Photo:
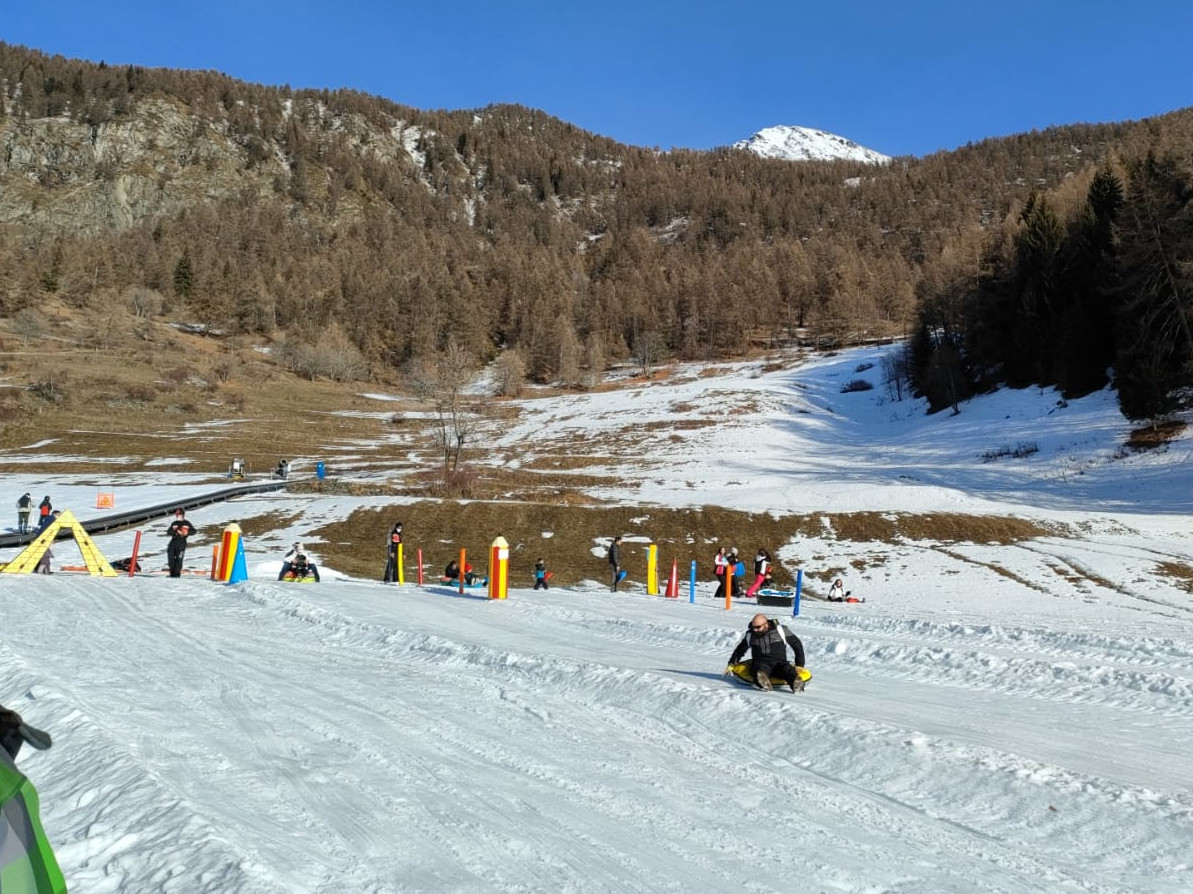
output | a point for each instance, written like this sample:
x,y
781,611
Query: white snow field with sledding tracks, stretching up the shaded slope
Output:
x,y
992,719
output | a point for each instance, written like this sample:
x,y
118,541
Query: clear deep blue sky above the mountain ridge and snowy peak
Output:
x,y
901,78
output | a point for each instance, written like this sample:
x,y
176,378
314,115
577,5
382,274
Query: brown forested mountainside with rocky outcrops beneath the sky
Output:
x,y
385,233
